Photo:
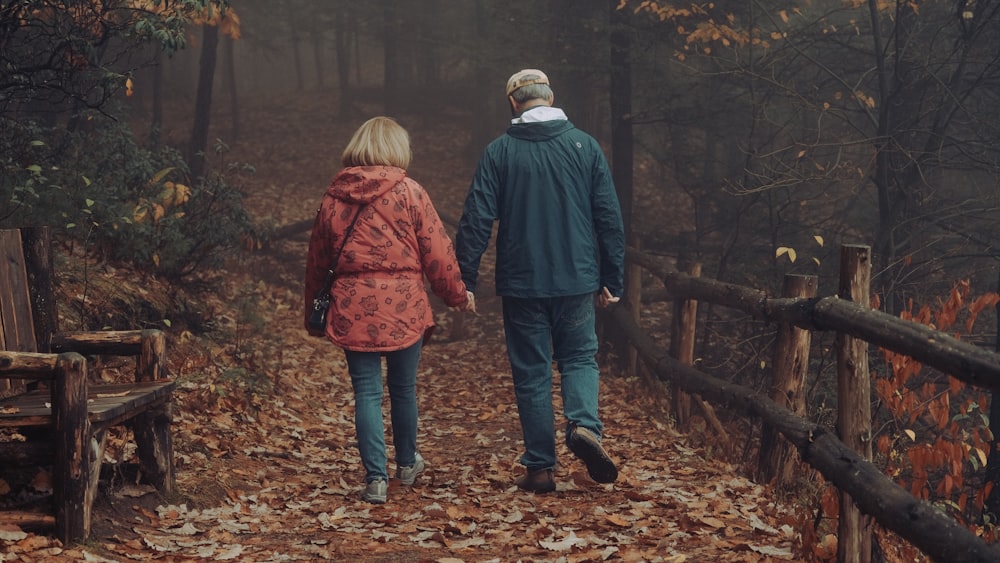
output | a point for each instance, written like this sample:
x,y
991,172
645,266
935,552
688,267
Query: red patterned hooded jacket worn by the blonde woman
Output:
x,y
379,301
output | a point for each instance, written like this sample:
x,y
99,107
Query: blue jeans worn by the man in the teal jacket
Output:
x,y
538,331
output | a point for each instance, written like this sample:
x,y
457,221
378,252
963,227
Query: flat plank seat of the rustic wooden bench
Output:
x,y
105,403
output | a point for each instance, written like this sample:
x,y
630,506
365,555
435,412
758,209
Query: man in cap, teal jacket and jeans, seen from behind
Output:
x,y
560,241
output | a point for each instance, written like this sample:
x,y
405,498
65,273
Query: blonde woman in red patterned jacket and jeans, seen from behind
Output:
x,y
388,237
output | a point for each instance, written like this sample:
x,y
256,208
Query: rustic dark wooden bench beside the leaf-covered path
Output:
x,y
46,398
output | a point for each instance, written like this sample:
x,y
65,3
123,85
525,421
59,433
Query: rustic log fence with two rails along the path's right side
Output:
x,y
845,462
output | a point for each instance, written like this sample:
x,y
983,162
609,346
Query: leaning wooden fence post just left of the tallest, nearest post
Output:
x,y
791,363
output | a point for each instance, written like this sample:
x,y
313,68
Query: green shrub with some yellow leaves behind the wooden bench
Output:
x,y
100,188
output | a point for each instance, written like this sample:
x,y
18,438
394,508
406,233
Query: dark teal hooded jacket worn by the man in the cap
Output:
x,y
560,227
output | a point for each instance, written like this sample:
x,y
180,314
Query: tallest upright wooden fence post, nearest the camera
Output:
x,y
854,543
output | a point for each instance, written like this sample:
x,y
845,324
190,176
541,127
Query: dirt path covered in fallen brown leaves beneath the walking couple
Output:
x,y
292,477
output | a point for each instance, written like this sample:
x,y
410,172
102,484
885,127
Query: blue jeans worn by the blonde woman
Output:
x,y
401,377
